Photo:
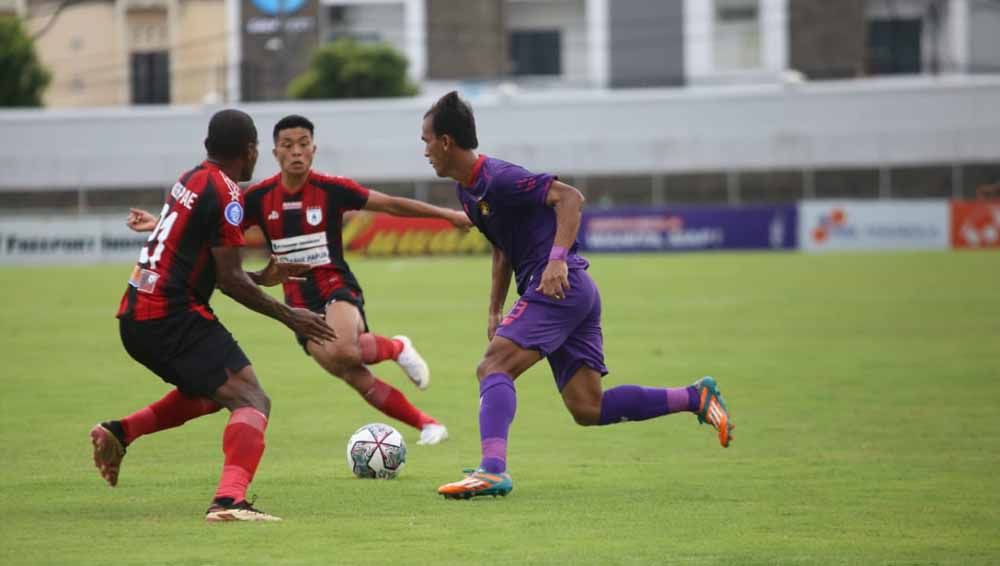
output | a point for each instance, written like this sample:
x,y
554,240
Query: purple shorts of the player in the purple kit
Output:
x,y
567,332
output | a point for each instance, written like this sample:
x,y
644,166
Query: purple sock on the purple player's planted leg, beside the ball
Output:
x,y
497,405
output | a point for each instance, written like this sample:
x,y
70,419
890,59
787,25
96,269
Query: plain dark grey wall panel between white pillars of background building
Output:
x,y
647,42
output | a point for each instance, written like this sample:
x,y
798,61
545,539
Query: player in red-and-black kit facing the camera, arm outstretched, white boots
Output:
x,y
300,212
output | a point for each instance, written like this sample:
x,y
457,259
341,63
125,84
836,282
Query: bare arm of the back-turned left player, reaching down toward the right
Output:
x,y
235,282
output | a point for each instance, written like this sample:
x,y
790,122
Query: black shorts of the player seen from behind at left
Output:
x,y
185,350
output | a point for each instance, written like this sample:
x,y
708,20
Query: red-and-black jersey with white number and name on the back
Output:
x,y
176,269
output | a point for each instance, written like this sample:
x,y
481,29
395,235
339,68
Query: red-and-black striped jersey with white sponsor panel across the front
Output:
x,y
305,227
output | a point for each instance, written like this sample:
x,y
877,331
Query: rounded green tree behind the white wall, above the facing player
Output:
x,y
348,69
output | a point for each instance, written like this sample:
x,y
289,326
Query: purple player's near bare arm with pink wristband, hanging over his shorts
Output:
x,y
568,204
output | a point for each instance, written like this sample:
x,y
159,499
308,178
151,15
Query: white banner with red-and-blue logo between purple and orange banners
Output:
x,y
874,225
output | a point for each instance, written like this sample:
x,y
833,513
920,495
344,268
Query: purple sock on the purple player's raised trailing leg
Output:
x,y
634,403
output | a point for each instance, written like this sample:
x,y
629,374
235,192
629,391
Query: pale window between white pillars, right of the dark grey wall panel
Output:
x,y
737,35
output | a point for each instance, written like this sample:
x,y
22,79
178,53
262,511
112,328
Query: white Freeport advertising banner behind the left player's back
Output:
x,y
67,239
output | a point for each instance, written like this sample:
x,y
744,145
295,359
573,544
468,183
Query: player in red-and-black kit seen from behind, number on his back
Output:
x,y
166,323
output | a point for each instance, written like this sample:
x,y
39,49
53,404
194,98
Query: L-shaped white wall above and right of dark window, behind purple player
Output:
x,y
570,17
